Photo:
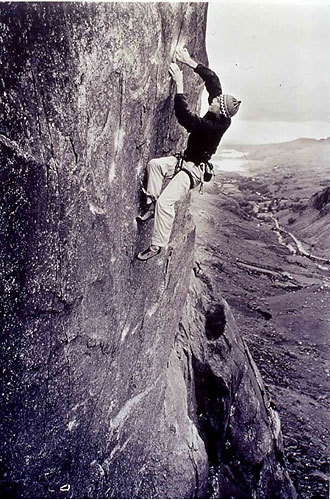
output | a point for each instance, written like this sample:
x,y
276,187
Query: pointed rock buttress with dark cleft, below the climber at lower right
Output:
x,y
238,423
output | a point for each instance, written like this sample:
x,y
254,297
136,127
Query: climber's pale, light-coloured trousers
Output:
x,y
163,168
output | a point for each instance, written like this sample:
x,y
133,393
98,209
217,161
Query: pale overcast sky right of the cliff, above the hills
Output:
x,y
275,57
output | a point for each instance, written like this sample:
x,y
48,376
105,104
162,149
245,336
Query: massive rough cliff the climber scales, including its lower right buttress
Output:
x,y
104,394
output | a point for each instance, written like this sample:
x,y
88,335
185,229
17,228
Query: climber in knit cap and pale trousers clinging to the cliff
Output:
x,y
205,134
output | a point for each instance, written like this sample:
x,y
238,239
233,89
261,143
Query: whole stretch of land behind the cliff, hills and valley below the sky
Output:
x,y
279,296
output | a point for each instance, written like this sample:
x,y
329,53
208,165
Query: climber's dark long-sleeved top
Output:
x,y
207,131
